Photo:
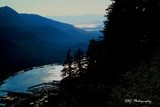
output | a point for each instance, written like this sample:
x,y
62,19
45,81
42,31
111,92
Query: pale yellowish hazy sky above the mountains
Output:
x,y
57,7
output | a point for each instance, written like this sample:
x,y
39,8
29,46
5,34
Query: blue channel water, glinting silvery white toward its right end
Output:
x,y
22,80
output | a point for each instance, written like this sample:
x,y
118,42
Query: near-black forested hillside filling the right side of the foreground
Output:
x,y
122,67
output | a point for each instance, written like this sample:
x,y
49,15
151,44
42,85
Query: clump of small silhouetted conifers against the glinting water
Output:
x,y
74,65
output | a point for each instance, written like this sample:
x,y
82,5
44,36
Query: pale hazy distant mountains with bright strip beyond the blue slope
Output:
x,y
87,22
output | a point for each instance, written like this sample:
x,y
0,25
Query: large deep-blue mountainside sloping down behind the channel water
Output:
x,y
30,40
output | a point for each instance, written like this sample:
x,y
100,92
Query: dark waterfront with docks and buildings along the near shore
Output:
x,y
41,97
